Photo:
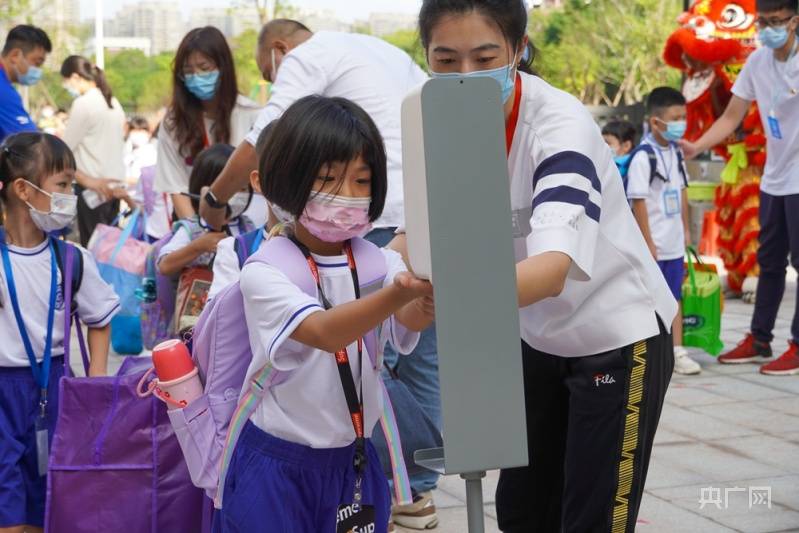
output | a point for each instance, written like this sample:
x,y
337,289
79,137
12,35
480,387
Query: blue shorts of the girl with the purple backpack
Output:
x,y
276,486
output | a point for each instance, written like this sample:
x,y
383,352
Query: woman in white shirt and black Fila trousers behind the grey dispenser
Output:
x,y
597,355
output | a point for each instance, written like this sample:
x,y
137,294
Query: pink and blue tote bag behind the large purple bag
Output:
x,y
121,258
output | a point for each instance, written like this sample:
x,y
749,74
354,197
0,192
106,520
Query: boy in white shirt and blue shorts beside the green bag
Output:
x,y
660,202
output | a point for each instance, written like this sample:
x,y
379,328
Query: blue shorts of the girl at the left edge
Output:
x,y
22,489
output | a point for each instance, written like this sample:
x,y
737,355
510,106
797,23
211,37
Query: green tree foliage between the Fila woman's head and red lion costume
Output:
x,y
606,51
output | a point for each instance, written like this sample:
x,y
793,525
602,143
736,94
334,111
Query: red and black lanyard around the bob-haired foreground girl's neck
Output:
x,y
354,405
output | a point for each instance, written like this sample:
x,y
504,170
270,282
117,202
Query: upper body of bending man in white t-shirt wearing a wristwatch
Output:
x,y
363,69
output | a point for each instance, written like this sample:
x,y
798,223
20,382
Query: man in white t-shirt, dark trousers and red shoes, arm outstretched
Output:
x,y
771,78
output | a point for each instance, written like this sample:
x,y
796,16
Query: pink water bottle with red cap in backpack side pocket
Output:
x,y
177,381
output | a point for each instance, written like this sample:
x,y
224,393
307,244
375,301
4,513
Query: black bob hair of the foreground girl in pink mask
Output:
x,y
314,132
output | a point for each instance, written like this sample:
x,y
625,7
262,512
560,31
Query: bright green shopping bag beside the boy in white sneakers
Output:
x,y
701,305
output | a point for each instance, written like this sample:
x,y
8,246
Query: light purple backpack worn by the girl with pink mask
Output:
x,y
209,427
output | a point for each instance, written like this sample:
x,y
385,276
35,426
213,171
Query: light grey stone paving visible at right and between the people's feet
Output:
x,y
728,428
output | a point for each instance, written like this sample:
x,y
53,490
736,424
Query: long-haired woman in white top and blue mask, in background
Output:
x,y
206,109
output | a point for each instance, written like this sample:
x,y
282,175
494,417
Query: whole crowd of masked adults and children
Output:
x,y
600,232
